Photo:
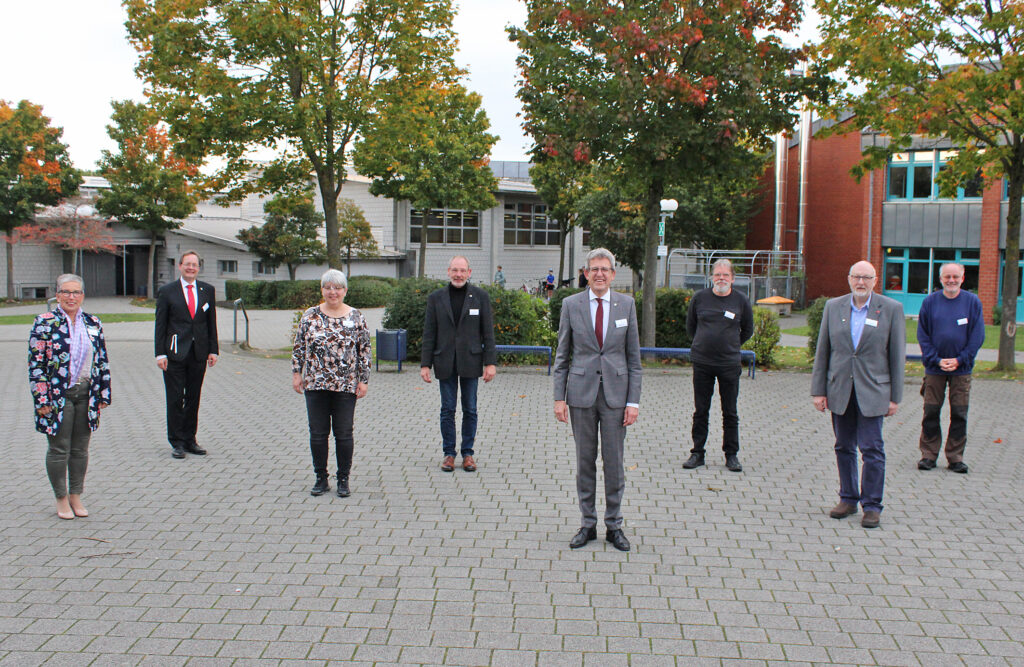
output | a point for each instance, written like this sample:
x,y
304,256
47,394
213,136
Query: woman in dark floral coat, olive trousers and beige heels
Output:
x,y
70,380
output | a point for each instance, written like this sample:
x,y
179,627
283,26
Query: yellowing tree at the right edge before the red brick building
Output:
x,y
951,69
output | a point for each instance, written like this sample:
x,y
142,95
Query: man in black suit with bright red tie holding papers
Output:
x,y
186,344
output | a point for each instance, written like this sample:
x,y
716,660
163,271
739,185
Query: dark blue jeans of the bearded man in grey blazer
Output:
x,y
854,432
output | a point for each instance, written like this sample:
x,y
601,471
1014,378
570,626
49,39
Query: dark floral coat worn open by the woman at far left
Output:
x,y
50,367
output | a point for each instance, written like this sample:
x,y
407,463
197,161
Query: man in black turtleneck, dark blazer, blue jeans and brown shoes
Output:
x,y
459,344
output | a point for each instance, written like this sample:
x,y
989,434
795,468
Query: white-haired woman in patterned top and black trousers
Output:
x,y
331,364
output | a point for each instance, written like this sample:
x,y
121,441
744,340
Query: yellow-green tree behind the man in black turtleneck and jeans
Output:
x,y
431,148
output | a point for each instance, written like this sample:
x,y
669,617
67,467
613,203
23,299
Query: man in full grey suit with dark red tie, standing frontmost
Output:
x,y
598,382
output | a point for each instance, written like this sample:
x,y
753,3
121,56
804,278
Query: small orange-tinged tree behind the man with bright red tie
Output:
x,y
150,184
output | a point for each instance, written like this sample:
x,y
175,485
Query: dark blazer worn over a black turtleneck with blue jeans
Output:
x,y
468,343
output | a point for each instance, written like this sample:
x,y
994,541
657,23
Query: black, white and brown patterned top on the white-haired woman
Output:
x,y
332,354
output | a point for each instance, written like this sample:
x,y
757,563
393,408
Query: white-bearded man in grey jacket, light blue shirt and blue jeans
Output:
x,y
859,376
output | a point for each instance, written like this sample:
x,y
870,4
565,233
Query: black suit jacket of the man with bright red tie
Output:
x,y
177,333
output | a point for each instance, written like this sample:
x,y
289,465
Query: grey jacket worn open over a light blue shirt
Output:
x,y
875,369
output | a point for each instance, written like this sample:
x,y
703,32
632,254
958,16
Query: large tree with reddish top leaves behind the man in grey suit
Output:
x,y
657,88
